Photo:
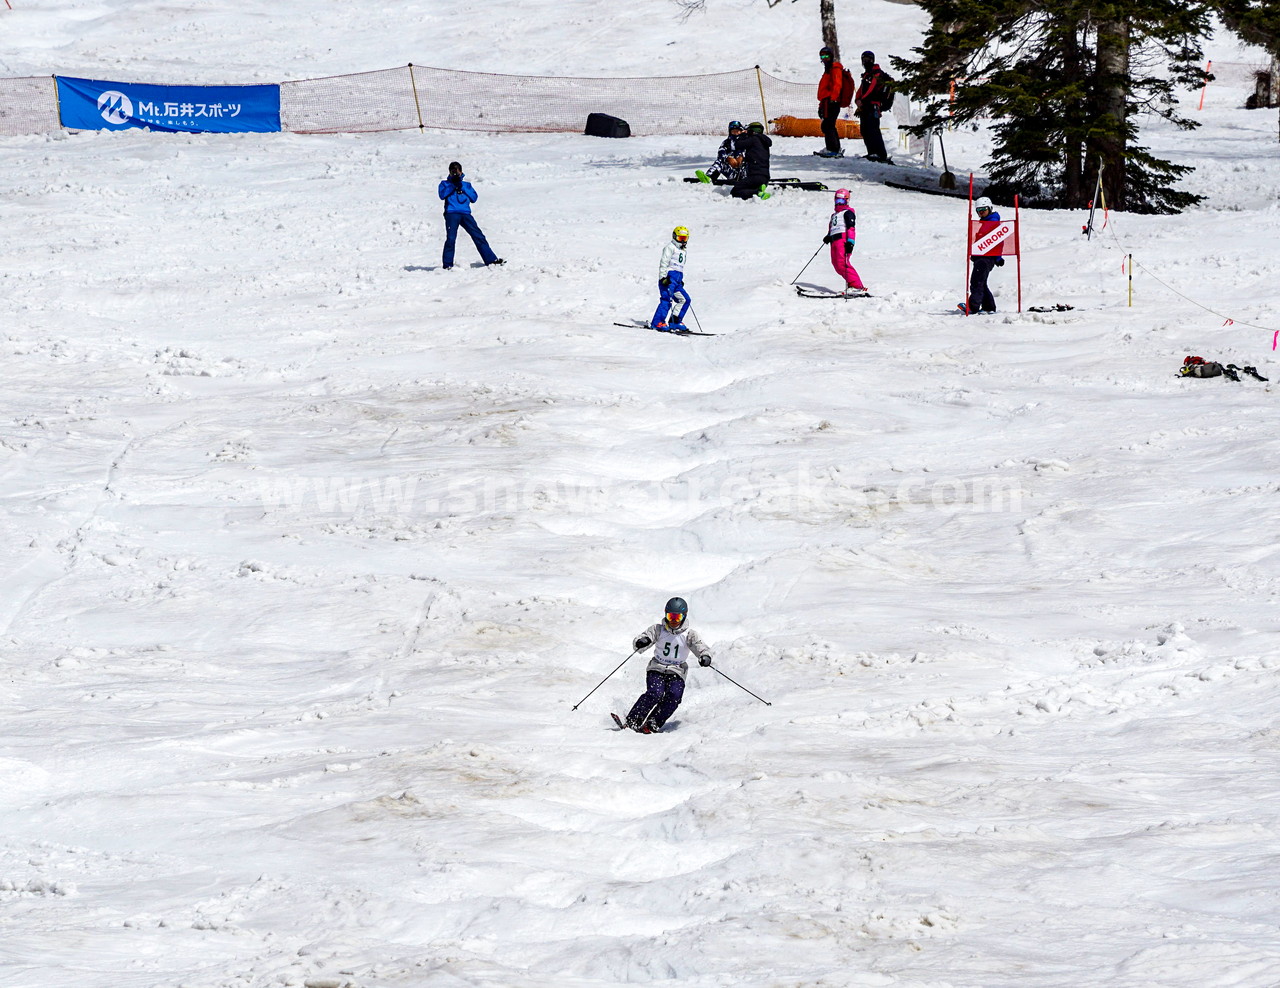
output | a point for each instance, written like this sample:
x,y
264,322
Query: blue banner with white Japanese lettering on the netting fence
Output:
x,y
92,106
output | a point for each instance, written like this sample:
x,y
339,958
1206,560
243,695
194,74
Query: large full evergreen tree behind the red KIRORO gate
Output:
x,y
1064,83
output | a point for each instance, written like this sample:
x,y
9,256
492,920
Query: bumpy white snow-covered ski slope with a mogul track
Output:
x,y
312,548
